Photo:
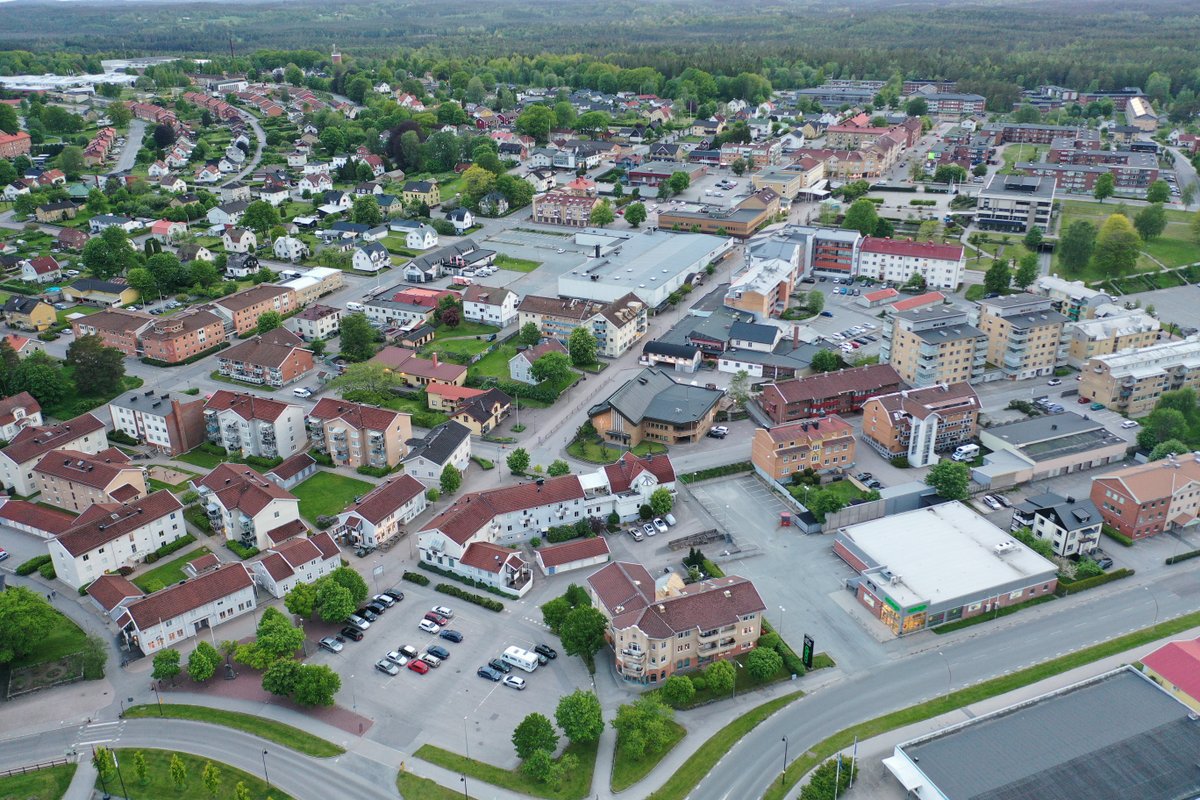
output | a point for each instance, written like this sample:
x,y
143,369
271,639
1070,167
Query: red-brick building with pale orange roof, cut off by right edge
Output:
x,y
1149,500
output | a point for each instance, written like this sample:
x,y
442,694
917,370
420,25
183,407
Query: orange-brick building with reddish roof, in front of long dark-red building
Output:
x,y
825,444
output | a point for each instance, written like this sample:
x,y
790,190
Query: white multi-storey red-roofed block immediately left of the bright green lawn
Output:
x,y
247,508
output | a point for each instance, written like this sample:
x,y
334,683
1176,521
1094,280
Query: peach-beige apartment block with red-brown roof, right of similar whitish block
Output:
x,y
357,436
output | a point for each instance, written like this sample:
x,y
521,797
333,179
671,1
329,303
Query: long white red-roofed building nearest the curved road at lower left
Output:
x,y
188,610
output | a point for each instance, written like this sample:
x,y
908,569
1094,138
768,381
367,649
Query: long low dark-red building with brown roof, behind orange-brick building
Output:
x,y
832,393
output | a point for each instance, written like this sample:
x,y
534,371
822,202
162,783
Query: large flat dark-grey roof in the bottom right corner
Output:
x,y
1114,738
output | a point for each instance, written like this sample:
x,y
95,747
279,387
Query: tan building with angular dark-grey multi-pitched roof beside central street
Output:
x,y
652,406
